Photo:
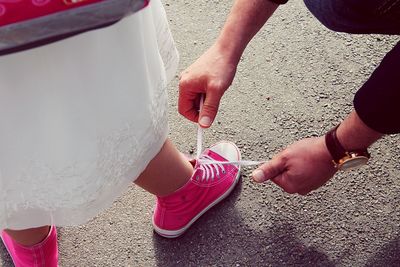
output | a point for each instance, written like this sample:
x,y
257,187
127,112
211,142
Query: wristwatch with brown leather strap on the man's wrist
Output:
x,y
342,159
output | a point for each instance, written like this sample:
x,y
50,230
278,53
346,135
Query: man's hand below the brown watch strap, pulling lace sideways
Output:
x,y
300,168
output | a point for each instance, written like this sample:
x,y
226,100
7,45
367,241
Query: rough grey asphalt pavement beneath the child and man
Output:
x,y
296,79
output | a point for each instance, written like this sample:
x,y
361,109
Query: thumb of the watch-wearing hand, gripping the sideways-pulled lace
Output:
x,y
269,170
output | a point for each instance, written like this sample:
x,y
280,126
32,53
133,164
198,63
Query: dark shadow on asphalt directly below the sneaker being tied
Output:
x,y
225,241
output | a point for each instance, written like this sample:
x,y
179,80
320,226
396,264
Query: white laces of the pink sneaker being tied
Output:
x,y
206,161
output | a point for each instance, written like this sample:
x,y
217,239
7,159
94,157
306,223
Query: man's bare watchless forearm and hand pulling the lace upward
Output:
x,y
214,71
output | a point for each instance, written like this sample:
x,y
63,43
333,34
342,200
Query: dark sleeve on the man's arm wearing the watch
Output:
x,y
377,102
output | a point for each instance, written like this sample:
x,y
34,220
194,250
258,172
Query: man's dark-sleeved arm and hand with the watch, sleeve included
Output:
x,y
307,164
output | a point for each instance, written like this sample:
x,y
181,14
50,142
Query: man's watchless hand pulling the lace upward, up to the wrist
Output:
x,y
211,75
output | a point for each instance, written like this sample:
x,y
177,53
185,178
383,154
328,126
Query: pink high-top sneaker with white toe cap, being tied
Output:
x,y
209,184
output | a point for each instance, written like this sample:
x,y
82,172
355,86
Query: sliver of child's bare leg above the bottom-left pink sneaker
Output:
x,y
29,237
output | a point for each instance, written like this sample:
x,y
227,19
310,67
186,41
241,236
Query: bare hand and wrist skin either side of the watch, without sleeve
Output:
x,y
307,164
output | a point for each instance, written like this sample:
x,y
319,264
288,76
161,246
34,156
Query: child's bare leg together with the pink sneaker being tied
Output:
x,y
184,192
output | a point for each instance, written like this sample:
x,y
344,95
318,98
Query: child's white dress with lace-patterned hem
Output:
x,y
80,119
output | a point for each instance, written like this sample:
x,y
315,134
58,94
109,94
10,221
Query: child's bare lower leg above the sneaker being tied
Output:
x,y
166,172
